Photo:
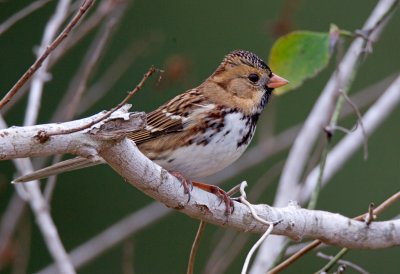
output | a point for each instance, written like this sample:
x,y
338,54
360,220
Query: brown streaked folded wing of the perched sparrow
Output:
x,y
174,116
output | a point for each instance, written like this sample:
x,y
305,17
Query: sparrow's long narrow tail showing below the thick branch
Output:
x,y
61,167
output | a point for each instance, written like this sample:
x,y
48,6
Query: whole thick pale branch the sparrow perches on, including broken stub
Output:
x,y
124,157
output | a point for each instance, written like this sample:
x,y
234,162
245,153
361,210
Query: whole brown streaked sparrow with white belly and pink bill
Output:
x,y
204,129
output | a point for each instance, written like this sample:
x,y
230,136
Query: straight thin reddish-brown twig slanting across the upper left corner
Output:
x,y
82,10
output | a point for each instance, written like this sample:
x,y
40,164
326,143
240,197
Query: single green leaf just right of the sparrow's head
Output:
x,y
299,55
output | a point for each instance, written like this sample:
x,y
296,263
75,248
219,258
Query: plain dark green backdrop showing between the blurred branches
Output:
x,y
200,32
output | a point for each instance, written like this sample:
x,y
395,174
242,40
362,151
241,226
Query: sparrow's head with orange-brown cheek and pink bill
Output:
x,y
246,81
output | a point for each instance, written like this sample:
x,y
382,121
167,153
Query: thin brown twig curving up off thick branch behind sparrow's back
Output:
x,y
108,113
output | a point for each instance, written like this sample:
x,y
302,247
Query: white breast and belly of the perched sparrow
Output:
x,y
222,148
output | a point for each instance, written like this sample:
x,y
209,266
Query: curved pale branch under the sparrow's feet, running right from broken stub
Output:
x,y
297,223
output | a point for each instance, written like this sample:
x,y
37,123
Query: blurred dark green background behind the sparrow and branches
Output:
x,y
188,39
